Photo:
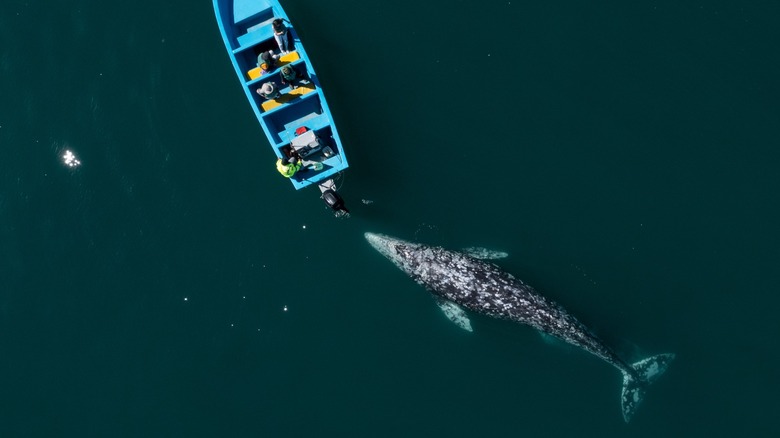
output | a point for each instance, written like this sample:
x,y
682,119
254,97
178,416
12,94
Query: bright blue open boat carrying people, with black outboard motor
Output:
x,y
293,113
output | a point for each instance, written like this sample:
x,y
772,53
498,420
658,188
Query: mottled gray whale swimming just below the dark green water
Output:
x,y
461,281
